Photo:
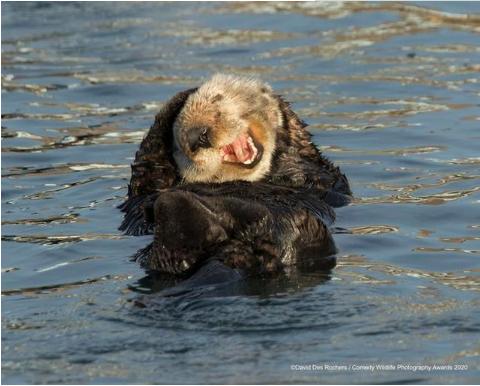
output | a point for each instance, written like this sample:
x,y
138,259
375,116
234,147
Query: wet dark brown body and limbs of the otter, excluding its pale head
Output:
x,y
258,227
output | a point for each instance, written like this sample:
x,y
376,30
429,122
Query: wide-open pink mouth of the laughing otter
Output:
x,y
244,151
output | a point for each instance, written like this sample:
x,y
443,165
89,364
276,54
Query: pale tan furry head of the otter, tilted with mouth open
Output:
x,y
227,130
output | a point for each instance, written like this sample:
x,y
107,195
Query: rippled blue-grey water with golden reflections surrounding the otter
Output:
x,y
392,95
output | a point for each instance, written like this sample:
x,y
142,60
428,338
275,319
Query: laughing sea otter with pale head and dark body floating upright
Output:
x,y
228,177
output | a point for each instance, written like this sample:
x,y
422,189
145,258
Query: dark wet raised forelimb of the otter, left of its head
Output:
x,y
154,167
